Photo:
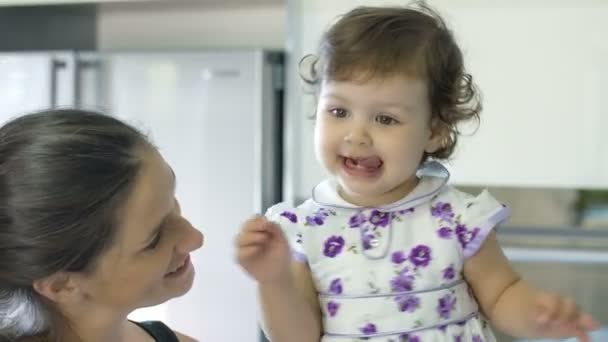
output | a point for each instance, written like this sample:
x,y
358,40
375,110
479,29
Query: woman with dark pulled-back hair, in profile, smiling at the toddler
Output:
x,y
90,230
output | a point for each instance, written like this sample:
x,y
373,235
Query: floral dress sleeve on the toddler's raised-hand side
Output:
x,y
288,219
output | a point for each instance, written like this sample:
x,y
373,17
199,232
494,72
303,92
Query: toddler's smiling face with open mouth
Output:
x,y
371,136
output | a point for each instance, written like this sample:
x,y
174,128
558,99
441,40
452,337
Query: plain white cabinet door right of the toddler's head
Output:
x,y
541,71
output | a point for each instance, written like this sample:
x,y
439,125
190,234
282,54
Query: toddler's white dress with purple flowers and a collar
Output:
x,y
394,273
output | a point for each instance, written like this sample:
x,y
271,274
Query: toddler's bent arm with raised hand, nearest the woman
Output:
x,y
286,291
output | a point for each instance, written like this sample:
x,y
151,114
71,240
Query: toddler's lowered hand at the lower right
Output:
x,y
559,317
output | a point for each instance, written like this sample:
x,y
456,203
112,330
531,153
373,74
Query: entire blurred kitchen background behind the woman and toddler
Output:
x,y
170,65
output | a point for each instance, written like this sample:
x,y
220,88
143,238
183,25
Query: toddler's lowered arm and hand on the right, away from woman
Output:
x,y
514,306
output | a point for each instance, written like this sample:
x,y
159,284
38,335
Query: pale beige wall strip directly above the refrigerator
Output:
x,y
197,24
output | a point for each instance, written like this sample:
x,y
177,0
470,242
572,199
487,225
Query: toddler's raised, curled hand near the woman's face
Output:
x,y
262,250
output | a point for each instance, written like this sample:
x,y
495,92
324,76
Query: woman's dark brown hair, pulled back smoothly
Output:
x,y
64,175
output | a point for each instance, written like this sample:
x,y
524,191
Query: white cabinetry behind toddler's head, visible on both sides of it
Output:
x,y
543,71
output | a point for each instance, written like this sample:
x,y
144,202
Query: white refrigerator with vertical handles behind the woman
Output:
x,y
216,117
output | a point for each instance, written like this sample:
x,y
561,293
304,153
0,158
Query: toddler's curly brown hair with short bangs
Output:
x,y
370,42
